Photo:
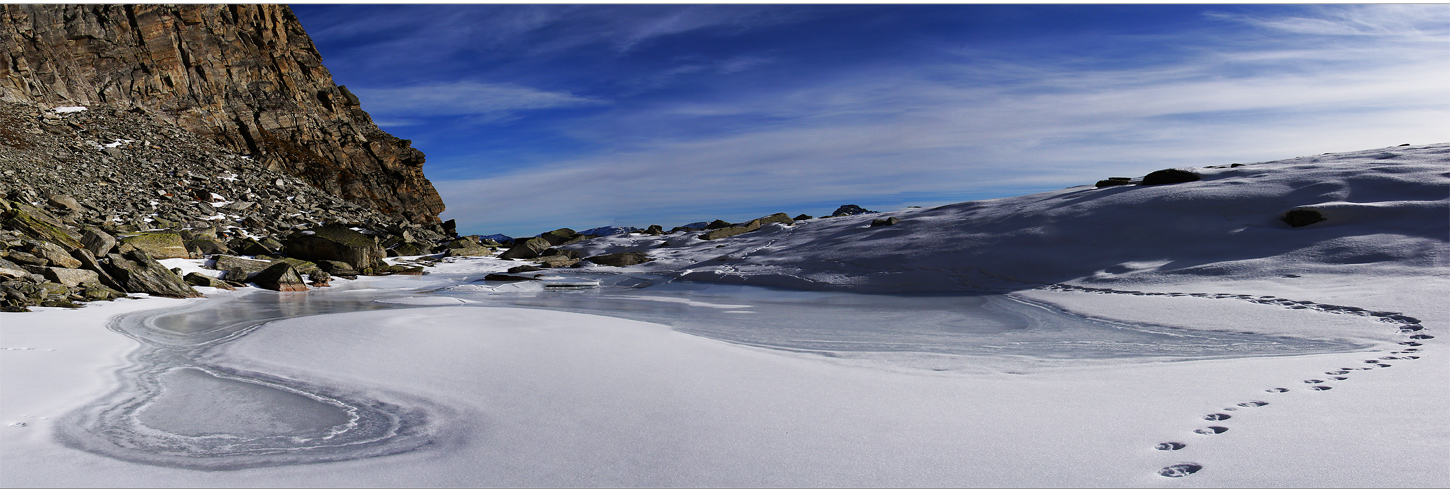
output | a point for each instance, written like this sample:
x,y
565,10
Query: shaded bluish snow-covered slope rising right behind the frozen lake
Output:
x,y
1387,213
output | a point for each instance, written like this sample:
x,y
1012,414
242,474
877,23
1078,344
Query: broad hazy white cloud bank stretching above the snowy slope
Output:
x,y
971,130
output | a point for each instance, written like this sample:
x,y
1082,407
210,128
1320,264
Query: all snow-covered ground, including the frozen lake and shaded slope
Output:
x,y
1275,356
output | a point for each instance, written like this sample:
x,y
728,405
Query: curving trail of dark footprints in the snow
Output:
x,y
1410,327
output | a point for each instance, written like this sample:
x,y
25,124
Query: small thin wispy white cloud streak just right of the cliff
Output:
x,y
466,98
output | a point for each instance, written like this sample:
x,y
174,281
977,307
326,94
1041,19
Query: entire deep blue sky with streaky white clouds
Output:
x,y
544,117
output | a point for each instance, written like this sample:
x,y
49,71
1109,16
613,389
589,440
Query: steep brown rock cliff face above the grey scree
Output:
x,y
246,76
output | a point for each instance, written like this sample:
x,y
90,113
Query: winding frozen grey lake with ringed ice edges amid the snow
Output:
x,y
183,401
